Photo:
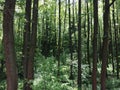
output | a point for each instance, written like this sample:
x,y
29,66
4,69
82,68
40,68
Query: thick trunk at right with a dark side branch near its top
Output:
x,y
105,45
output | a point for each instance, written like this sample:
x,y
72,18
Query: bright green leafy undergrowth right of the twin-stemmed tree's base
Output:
x,y
46,76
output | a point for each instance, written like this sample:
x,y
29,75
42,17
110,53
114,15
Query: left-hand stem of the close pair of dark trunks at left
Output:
x,y
26,40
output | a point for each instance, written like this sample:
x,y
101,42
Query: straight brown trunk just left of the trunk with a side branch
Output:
x,y
95,48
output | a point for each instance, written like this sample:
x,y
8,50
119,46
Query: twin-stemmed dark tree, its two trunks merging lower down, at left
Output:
x,y
30,39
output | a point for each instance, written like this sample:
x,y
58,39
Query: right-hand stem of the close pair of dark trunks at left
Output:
x,y
30,73
